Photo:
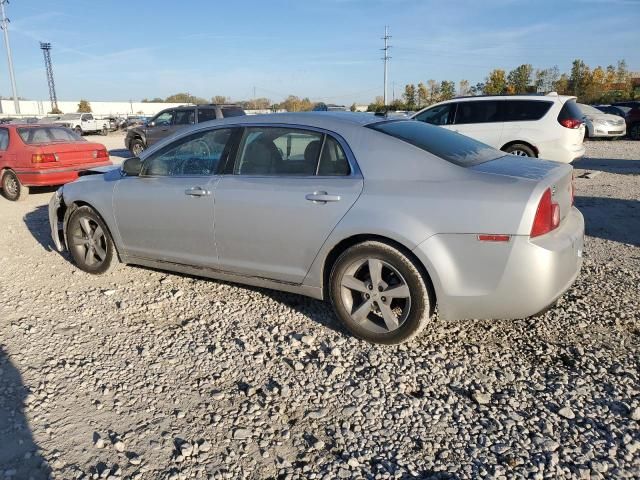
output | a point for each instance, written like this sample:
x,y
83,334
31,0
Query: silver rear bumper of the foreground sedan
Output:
x,y
515,279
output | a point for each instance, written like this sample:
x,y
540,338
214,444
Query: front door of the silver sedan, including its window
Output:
x,y
166,213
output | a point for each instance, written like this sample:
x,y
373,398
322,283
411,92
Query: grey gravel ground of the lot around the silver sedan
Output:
x,y
146,374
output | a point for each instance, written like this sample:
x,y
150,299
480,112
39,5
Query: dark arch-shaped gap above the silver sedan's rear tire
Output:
x,y
348,242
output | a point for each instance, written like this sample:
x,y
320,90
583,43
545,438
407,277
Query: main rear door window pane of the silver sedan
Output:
x,y
278,151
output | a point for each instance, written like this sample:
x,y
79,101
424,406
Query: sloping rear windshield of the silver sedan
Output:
x,y
443,143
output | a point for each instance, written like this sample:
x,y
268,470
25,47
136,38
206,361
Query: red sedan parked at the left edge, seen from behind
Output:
x,y
37,155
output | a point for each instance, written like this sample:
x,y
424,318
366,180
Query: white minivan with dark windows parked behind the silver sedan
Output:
x,y
549,126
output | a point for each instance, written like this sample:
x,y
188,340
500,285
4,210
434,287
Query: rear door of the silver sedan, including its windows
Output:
x,y
289,187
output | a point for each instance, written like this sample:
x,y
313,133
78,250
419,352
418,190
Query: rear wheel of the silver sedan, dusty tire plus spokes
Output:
x,y
412,313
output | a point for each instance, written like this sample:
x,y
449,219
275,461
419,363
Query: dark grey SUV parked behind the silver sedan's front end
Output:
x,y
169,121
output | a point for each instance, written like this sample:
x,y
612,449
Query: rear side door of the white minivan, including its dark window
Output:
x,y
480,120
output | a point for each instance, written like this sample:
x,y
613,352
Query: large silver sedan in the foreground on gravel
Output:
x,y
384,218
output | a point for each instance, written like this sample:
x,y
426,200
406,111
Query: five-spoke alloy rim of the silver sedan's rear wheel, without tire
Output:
x,y
376,295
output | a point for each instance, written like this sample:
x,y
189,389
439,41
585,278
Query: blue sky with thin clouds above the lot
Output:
x,y
327,50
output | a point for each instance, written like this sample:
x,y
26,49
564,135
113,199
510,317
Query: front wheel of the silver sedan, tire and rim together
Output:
x,y
90,242
